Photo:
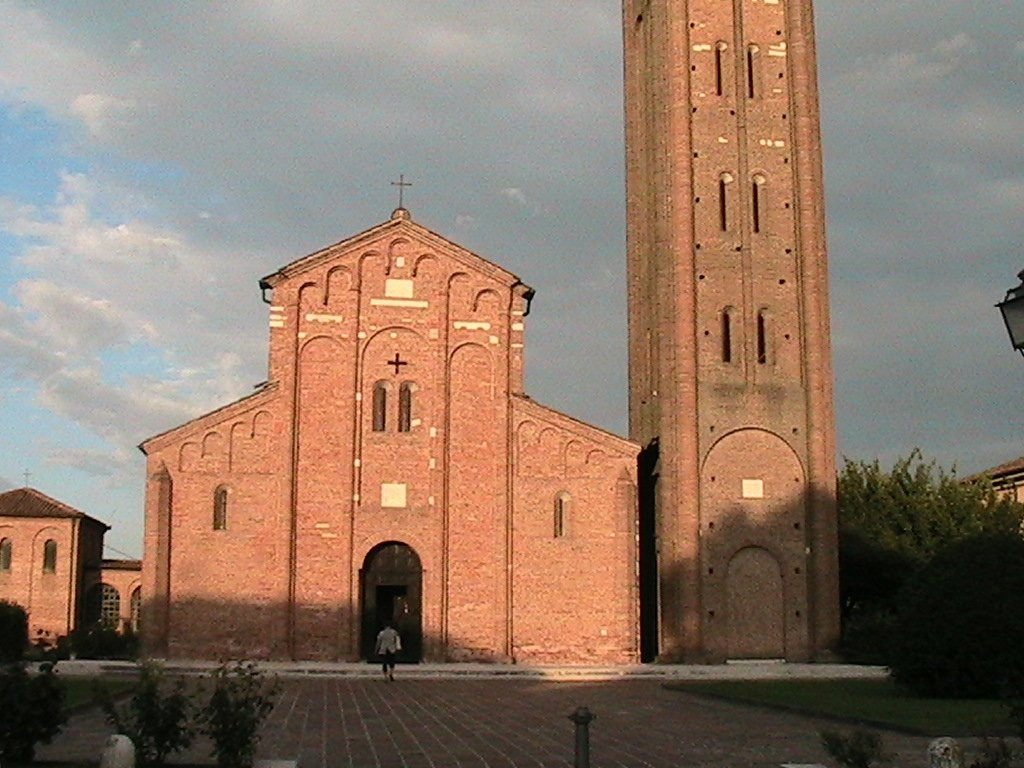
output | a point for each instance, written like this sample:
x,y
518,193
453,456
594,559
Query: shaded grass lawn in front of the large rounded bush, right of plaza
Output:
x,y
878,703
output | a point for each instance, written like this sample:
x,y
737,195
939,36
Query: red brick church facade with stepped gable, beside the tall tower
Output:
x,y
393,470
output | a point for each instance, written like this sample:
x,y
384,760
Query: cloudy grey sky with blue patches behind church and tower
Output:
x,y
157,159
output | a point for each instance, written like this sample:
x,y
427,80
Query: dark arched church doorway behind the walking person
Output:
x,y
392,589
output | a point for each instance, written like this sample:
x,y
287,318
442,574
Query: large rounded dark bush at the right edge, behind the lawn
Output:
x,y
960,626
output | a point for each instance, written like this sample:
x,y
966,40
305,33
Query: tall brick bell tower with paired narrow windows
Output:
x,y
731,365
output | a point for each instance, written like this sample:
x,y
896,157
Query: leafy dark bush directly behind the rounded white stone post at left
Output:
x,y
156,718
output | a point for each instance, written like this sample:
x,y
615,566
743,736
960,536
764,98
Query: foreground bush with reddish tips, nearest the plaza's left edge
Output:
x,y
241,701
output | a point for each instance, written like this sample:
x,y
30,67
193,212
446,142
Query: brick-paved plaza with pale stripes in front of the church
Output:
x,y
499,722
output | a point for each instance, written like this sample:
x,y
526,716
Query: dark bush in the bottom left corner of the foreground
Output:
x,y
31,711
